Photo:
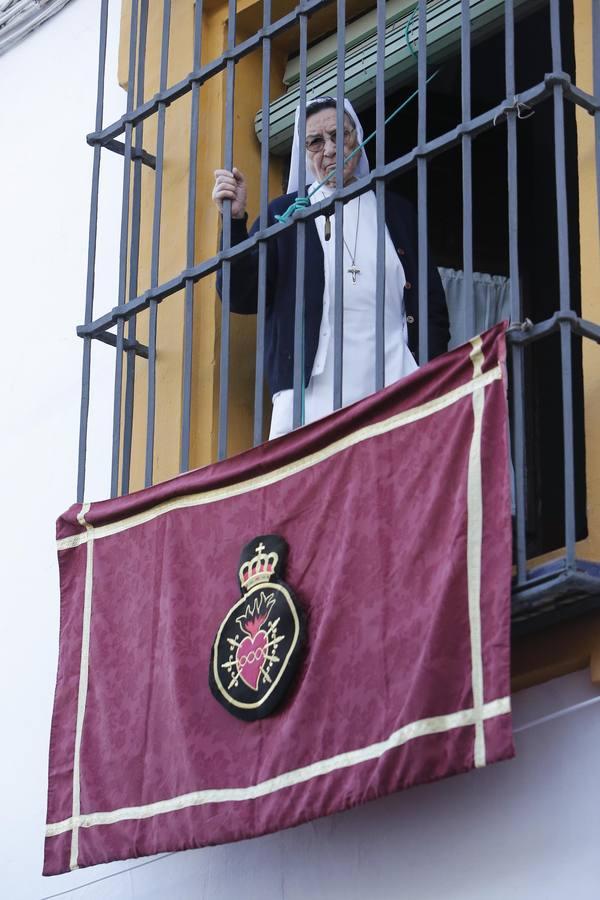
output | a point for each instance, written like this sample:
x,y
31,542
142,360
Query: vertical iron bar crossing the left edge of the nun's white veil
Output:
x,y
298,412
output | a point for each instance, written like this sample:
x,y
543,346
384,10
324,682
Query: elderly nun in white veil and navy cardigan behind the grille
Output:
x,y
359,277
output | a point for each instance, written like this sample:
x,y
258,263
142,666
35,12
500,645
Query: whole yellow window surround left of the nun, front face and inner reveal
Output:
x,y
207,310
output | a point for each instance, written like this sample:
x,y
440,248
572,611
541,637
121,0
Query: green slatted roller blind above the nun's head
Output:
x,y
443,41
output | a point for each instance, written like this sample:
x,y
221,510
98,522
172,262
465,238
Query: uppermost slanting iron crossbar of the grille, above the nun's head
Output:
x,y
204,73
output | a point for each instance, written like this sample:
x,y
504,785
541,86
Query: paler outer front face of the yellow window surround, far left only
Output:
x,y
172,239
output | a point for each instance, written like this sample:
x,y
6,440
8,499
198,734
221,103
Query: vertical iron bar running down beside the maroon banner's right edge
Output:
x,y
518,351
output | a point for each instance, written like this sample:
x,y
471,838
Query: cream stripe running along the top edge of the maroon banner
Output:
x,y
252,484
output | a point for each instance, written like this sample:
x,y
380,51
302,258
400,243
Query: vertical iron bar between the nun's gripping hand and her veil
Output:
x,y
263,247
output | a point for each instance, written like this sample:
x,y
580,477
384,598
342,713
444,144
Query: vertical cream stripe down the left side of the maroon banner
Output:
x,y
83,686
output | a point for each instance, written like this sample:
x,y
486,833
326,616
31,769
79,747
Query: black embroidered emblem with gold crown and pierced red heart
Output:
x,y
259,642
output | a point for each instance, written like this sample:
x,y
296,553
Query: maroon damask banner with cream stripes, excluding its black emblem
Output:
x,y
396,511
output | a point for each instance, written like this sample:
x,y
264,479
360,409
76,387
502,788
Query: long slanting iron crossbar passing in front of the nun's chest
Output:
x,y
532,97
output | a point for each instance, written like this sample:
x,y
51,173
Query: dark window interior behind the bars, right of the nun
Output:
x,y
538,246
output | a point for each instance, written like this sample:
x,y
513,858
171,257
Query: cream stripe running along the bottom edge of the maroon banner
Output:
x,y
421,728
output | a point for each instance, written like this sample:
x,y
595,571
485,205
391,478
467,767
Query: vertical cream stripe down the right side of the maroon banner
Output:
x,y
474,549
